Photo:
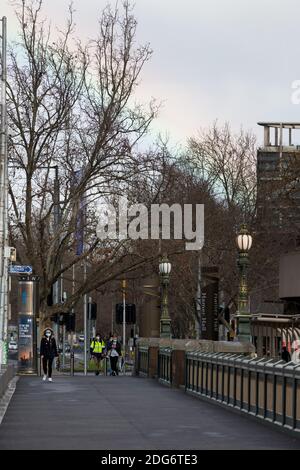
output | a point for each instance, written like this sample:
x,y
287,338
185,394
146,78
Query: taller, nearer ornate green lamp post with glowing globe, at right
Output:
x,y
244,243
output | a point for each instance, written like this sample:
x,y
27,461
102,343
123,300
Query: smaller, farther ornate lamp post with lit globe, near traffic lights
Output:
x,y
165,320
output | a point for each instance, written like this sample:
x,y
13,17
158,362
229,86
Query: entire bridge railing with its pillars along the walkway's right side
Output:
x,y
228,374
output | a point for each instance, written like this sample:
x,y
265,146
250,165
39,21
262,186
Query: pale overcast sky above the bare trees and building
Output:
x,y
229,60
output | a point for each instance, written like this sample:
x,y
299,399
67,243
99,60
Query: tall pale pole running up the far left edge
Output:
x,y
3,201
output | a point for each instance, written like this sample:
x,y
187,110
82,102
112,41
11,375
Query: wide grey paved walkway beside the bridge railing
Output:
x,y
125,413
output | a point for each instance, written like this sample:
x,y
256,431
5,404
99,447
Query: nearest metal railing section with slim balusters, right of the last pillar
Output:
x,y
265,388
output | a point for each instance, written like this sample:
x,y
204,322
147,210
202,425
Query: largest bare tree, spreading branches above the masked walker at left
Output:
x,y
70,109
